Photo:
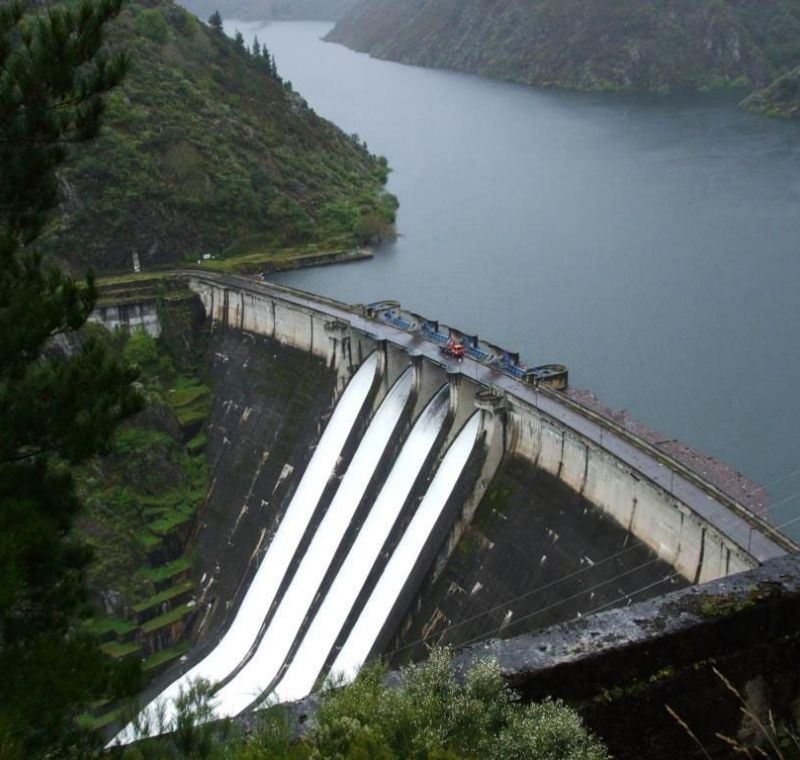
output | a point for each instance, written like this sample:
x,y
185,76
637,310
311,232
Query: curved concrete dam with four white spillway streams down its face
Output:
x,y
413,498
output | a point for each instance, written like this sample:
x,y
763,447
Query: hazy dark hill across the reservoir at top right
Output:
x,y
585,44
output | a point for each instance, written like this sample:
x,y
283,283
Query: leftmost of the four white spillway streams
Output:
x,y
237,641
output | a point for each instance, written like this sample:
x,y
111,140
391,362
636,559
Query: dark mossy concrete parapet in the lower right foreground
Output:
x,y
621,668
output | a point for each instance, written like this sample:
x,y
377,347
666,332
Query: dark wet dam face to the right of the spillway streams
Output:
x,y
536,554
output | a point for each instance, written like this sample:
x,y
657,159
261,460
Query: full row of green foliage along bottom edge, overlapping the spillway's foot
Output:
x,y
427,715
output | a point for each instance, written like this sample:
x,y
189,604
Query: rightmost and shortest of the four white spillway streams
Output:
x,y
377,609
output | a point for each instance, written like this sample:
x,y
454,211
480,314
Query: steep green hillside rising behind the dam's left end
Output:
x,y
204,150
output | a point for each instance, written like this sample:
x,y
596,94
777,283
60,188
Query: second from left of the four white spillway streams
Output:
x,y
257,674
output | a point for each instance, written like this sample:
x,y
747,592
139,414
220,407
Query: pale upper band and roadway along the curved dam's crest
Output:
x,y
688,525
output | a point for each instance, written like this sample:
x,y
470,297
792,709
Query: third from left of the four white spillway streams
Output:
x,y
321,636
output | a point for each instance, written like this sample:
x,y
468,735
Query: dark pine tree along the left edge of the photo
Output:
x,y
56,407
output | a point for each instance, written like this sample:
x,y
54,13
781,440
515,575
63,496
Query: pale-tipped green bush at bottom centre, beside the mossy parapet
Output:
x,y
432,716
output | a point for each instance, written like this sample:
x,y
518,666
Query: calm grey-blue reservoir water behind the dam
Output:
x,y
650,243
